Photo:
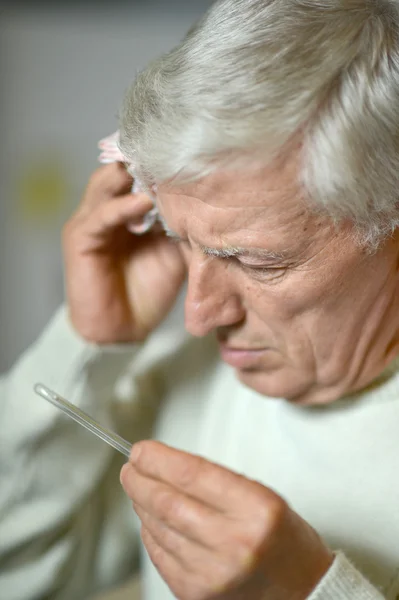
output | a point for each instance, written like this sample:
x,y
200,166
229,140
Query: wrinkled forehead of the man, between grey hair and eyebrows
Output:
x,y
244,210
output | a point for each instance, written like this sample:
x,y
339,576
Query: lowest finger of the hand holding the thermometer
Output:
x,y
181,583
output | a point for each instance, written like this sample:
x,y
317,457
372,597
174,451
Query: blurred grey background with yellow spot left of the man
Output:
x,y
64,69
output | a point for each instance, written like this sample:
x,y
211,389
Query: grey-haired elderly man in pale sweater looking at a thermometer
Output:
x,y
270,137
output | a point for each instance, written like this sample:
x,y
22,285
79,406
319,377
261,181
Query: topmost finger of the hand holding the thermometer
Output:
x,y
195,476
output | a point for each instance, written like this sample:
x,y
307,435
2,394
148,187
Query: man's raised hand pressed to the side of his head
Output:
x,y
119,286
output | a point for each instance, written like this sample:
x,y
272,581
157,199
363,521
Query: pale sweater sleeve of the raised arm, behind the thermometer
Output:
x,y
66,528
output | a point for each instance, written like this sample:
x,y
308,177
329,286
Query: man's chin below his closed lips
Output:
x,y
286,386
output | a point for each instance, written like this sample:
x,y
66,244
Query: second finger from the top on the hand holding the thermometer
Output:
x,y
197,522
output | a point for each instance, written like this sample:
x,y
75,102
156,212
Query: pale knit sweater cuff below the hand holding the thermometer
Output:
x,y
344,582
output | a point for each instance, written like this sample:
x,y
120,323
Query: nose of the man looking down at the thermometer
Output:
x,y
212,299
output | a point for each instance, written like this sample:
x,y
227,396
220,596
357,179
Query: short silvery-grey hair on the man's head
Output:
x,y
252,74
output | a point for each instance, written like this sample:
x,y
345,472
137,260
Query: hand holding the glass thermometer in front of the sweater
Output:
x,y
213,534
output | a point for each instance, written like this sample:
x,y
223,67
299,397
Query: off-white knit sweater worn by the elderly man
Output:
x,y
66,528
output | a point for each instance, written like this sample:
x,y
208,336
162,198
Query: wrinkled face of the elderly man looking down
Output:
x,y
320,314
